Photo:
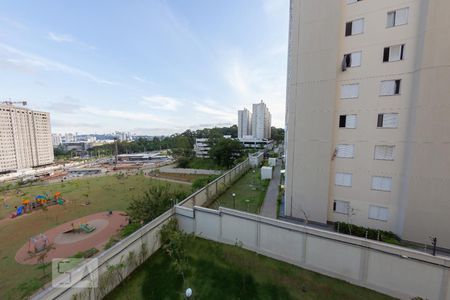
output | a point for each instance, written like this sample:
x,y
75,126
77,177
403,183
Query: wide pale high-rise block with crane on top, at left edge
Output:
x,y
25,138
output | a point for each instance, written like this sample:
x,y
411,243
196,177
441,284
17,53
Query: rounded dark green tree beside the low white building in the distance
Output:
x,y
225,151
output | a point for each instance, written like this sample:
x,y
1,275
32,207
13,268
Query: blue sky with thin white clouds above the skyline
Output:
x,y
152,67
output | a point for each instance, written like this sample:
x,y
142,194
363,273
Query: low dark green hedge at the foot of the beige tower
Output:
x,y
372,234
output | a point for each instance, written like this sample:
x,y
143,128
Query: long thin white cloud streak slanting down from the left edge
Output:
x,y
21,60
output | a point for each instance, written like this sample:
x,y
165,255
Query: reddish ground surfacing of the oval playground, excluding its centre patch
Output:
x,y
69,244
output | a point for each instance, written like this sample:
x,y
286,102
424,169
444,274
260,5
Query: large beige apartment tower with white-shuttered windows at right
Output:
x,y
368,115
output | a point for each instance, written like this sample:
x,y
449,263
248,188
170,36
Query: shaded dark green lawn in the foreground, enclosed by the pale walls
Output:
x,y
219,271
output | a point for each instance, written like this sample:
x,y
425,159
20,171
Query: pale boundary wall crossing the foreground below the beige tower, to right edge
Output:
x,y
389,269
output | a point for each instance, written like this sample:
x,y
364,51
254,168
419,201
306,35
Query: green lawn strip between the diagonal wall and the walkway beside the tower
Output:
x,y
249,187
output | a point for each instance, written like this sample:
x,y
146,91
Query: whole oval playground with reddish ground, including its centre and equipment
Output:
x,y
78,235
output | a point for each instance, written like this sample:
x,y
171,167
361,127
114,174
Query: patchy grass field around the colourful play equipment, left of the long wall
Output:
x,y
103,193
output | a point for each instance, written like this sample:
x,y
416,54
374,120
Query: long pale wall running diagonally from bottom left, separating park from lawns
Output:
x,y
141,244
